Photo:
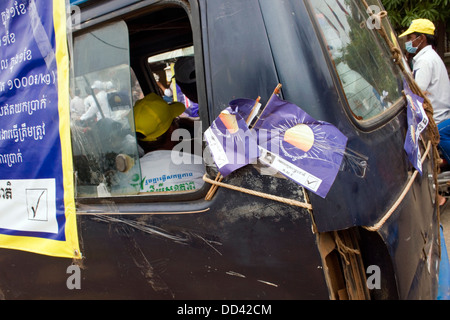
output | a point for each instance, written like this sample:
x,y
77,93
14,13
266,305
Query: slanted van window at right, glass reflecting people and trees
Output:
x,y
370,82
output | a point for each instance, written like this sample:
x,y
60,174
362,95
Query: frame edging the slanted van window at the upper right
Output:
x,y
364,125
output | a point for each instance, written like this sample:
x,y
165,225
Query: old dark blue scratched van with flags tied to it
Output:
x,y
375,235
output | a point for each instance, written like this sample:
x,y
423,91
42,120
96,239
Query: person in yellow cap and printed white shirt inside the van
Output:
x,y
163,168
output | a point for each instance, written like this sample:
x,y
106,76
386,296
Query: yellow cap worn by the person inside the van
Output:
x,y
153,116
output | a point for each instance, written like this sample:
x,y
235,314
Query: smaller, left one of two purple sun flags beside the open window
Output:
x,y
231,142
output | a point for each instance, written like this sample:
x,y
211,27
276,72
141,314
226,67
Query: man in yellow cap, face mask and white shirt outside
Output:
x,y
431,75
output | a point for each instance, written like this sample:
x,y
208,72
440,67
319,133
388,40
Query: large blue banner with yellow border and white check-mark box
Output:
x,y
37,206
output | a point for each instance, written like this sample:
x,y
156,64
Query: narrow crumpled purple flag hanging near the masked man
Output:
x,y
417,122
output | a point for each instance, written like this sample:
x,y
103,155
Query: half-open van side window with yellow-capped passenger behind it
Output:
x,y
133,133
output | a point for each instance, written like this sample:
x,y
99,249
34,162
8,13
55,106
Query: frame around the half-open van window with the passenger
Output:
x,y
176,201
